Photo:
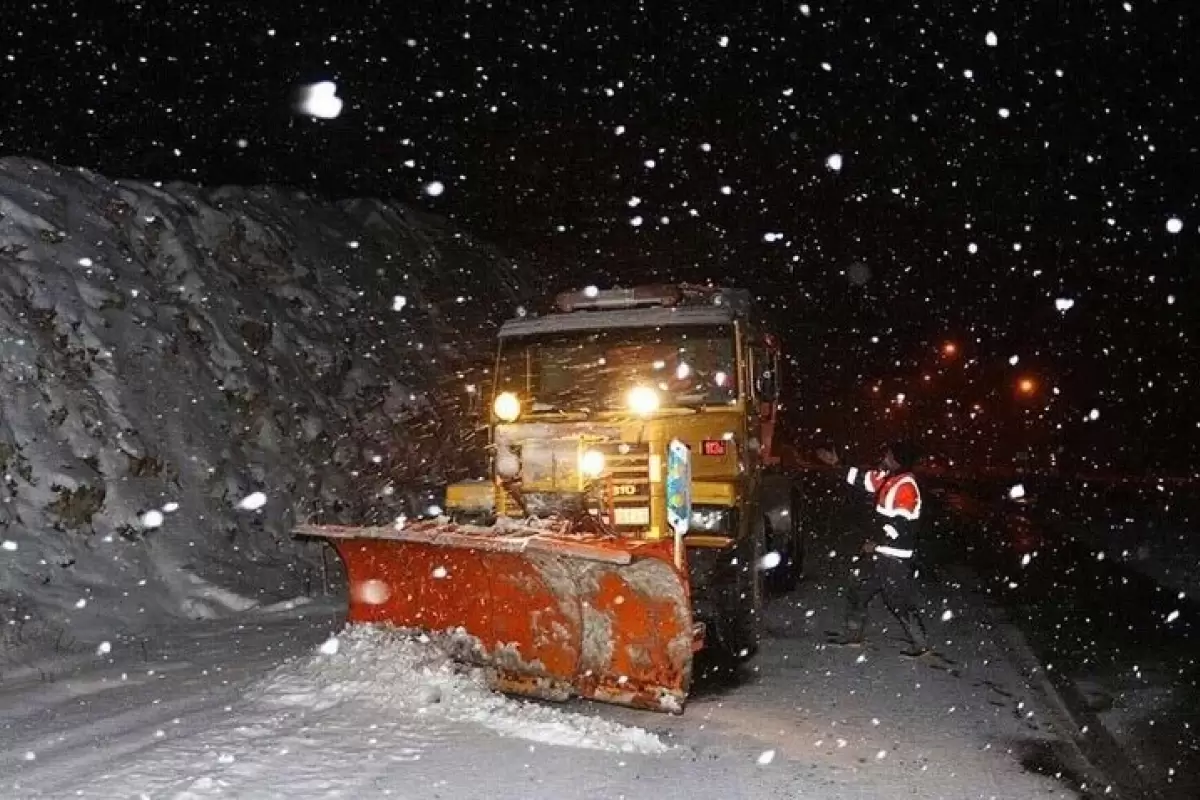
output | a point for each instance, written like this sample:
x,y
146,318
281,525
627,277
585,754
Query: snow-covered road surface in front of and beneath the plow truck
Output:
x,y
267,706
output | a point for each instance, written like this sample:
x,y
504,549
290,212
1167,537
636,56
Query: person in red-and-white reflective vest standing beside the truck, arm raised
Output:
x,y
887,566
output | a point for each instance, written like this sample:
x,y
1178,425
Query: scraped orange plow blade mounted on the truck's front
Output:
x,y
550,615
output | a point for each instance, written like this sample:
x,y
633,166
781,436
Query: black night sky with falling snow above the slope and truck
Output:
x,y
995,159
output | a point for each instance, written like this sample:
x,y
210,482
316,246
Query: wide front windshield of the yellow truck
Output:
x,y
595,370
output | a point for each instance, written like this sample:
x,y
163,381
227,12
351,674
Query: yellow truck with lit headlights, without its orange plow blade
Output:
x,y
589,398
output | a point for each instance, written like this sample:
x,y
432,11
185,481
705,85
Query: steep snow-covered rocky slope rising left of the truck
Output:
x,y
184,374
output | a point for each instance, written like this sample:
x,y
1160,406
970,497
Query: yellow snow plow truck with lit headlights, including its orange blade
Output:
x,y
633,516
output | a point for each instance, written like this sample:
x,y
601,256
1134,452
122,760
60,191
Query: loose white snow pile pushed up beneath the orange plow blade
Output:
x,y
397,675
